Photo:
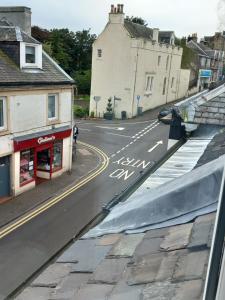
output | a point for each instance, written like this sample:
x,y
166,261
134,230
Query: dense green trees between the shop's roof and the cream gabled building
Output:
x,y
71,50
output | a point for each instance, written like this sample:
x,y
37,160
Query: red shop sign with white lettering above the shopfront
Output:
x,y
41,140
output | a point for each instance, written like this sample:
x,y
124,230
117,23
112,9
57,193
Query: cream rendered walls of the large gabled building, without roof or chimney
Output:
x,y
123,68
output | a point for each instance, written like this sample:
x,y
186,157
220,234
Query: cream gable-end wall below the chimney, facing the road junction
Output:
x,y
112,74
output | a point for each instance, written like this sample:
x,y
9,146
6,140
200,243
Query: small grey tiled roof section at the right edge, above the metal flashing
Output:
x,y
211,112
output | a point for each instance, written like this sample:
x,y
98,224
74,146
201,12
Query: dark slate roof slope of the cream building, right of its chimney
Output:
x,y
138,31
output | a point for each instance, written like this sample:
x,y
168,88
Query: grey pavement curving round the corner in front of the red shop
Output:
x,y
86,160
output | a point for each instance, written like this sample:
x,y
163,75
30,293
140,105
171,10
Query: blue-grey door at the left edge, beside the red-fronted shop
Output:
x,y
4,177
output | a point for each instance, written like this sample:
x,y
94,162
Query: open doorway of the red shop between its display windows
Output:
x,y
43,163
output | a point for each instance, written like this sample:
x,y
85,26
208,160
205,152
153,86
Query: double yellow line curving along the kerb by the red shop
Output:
x,y
41,209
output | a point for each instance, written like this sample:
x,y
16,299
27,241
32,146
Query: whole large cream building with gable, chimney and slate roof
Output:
x,y
139,68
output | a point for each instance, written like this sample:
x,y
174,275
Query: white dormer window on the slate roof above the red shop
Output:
x,y
30,56
